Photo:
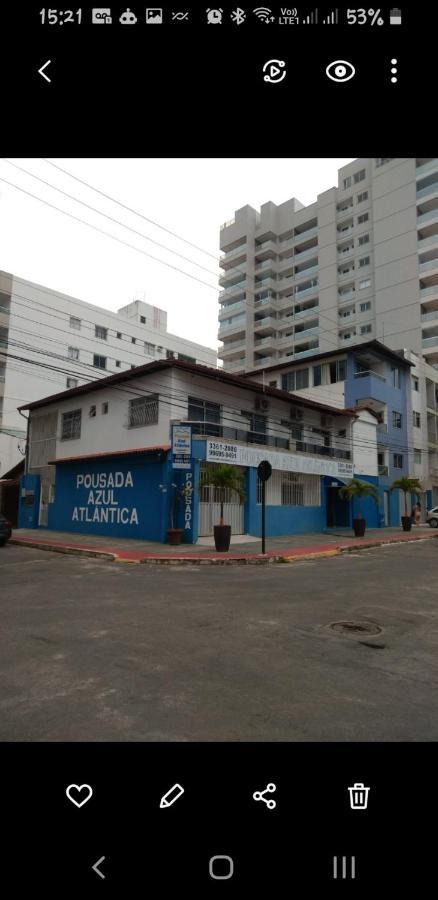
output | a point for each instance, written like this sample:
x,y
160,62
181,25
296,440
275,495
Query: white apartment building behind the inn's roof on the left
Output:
x,y
50,342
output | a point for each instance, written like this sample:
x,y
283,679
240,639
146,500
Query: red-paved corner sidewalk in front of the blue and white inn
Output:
x,y
284,549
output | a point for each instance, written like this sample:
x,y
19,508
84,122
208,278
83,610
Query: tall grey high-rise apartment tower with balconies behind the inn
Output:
x,y
361,263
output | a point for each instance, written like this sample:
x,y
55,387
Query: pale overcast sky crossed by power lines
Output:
x,y
190,197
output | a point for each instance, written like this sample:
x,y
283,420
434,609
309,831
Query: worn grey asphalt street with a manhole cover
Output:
x,y
99,651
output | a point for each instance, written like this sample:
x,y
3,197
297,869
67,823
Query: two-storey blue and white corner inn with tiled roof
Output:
x,y
107,457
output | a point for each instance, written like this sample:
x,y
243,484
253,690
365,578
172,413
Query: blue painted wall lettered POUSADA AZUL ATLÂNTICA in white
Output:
x,y
133,507
